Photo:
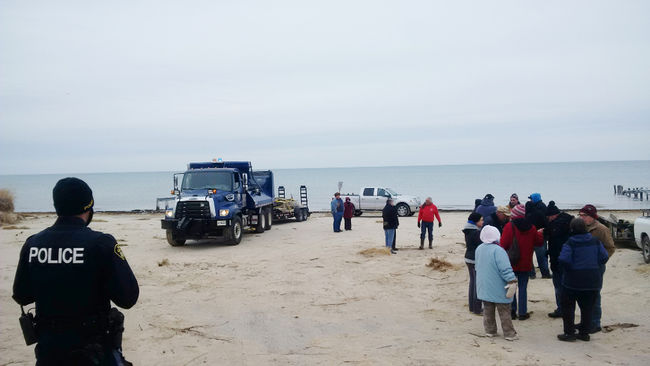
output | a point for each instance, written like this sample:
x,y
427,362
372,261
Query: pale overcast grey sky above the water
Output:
x,y
95,86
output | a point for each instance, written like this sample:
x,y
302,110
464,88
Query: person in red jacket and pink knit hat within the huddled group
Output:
x,y
528,238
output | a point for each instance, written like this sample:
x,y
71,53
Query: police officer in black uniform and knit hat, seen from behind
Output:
x,y
73,273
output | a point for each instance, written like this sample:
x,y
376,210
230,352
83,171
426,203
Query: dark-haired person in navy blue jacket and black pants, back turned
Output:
x,y
581,259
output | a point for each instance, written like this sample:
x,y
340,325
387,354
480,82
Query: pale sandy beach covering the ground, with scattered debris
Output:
x,y
300,294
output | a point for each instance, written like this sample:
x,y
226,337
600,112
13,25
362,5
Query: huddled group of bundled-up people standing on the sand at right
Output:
x,y
500,243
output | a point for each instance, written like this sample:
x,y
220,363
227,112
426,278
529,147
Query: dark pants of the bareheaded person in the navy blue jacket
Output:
x,y
586,300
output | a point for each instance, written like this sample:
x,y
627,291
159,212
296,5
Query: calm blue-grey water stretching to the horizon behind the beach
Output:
x,y
570,185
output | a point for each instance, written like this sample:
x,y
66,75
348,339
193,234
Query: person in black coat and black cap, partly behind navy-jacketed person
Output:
x,y
557,232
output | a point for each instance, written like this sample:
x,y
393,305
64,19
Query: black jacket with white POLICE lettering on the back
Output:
x,y
73,273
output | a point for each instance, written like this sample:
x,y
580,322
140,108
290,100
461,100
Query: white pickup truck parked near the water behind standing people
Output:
x,y
374,199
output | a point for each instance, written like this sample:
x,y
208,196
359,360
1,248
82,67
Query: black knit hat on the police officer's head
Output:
x,y
72,196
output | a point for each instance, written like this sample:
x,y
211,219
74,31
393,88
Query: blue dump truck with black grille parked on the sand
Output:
x,y
219,199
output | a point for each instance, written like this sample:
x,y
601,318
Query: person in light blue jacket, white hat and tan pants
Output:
x,y
493,273
